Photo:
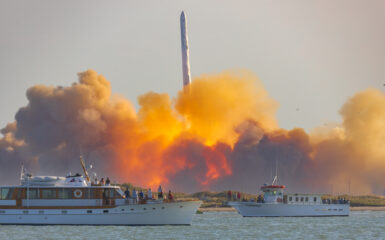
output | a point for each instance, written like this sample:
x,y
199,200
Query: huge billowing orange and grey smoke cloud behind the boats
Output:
x,y
219,134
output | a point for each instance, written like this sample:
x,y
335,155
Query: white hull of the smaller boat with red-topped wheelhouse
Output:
x,y
252,209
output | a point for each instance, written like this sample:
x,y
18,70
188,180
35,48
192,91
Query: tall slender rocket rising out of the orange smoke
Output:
x,y
185,51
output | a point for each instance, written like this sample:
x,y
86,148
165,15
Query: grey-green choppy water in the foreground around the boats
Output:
x,y
224,225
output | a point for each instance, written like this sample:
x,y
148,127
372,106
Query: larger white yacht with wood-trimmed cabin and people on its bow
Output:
x,y
74,200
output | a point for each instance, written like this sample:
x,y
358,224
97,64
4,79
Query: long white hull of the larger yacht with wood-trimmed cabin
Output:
x,y
173,213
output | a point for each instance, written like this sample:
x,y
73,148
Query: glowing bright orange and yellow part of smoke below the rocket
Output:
x,y
207,114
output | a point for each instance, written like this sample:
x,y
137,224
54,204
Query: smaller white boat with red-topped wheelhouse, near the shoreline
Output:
x,y
276,204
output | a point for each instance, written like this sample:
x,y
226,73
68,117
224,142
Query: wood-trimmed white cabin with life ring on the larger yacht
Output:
x,y
47,191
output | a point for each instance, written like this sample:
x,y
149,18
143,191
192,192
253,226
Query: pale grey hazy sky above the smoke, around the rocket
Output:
x,y
310,55
